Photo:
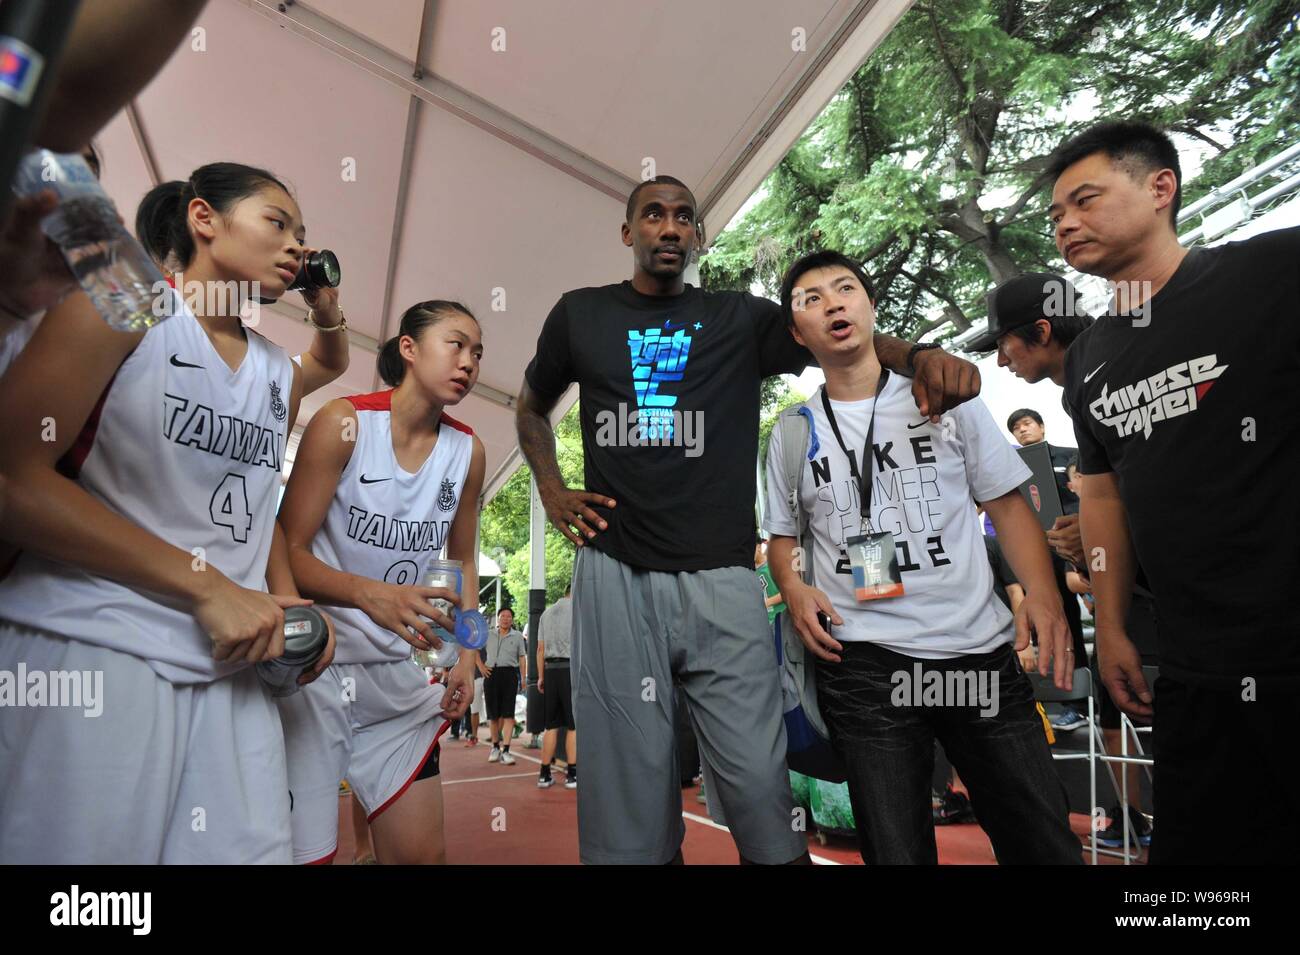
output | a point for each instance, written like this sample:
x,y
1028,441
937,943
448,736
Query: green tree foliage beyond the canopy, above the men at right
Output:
x,y
928,167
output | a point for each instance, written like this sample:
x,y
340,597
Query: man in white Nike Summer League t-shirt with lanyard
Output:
x,y
918,648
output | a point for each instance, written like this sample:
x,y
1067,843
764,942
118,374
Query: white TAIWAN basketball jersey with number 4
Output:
x,y
192,452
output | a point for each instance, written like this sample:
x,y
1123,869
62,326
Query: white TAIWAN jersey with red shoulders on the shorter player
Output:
x,y
388,524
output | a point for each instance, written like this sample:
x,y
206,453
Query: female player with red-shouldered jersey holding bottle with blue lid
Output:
x,y
383,484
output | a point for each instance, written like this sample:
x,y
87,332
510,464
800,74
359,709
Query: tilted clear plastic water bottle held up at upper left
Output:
x,y
115,271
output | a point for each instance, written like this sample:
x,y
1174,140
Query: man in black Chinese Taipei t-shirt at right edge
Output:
x,y
1194,374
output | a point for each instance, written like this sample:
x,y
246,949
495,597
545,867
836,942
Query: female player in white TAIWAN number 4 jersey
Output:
x,y
142,475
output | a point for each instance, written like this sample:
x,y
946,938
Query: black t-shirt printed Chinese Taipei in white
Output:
x,y
1193,405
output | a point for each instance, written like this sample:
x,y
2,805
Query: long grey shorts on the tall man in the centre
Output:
x,y
638,632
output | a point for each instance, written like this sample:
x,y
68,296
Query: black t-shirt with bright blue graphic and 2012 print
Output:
x,y
683,372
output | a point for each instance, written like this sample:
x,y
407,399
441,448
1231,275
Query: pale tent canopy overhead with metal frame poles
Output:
x,y
484,151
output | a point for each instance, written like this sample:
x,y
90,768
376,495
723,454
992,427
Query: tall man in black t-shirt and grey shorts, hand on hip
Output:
x,y
670,380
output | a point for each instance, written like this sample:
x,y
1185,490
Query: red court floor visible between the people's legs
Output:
x,y
539,827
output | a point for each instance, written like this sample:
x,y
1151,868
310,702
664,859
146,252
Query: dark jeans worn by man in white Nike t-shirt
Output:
x,y
890,752
